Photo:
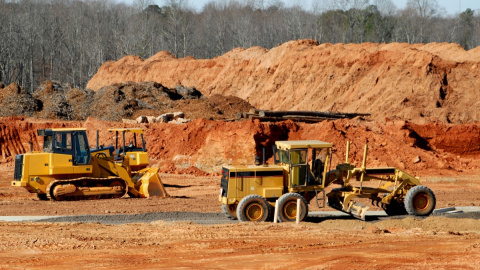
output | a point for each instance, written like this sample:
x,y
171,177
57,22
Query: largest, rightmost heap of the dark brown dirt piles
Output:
x,y
130,100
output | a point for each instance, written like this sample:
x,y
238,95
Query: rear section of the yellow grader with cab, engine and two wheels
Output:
x,y
249,192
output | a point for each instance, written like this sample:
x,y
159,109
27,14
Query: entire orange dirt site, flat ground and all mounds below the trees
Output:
x,y
423,100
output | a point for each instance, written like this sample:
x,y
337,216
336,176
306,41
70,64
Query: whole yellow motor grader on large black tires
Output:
x,y
249,193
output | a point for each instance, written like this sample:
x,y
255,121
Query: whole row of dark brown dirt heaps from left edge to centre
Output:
x,y
53,100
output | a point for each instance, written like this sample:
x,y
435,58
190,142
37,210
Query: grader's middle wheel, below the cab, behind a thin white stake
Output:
x,y
287,207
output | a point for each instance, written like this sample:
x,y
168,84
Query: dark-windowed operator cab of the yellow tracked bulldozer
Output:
x,y
68,142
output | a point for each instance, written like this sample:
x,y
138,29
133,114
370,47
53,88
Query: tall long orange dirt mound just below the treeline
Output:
x,y
420,82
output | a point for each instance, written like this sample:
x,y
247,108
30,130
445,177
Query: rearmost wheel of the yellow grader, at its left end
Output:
x,y
253,208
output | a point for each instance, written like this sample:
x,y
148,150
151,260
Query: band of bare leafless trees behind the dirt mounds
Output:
x,y
68,40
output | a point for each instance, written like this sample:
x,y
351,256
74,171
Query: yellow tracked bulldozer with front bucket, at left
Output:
x,y
67,169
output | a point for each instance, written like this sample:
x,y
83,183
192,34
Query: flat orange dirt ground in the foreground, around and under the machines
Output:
x,y
180,240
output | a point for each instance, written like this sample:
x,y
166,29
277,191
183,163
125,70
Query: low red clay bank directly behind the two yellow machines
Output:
x,y
207,145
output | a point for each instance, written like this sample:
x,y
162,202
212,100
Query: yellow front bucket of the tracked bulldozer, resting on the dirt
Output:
x,y
149,184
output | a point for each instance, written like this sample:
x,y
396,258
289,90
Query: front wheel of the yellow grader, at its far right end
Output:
x,y
420,201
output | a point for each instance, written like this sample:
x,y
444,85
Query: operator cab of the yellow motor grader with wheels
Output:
x,y
307,161
